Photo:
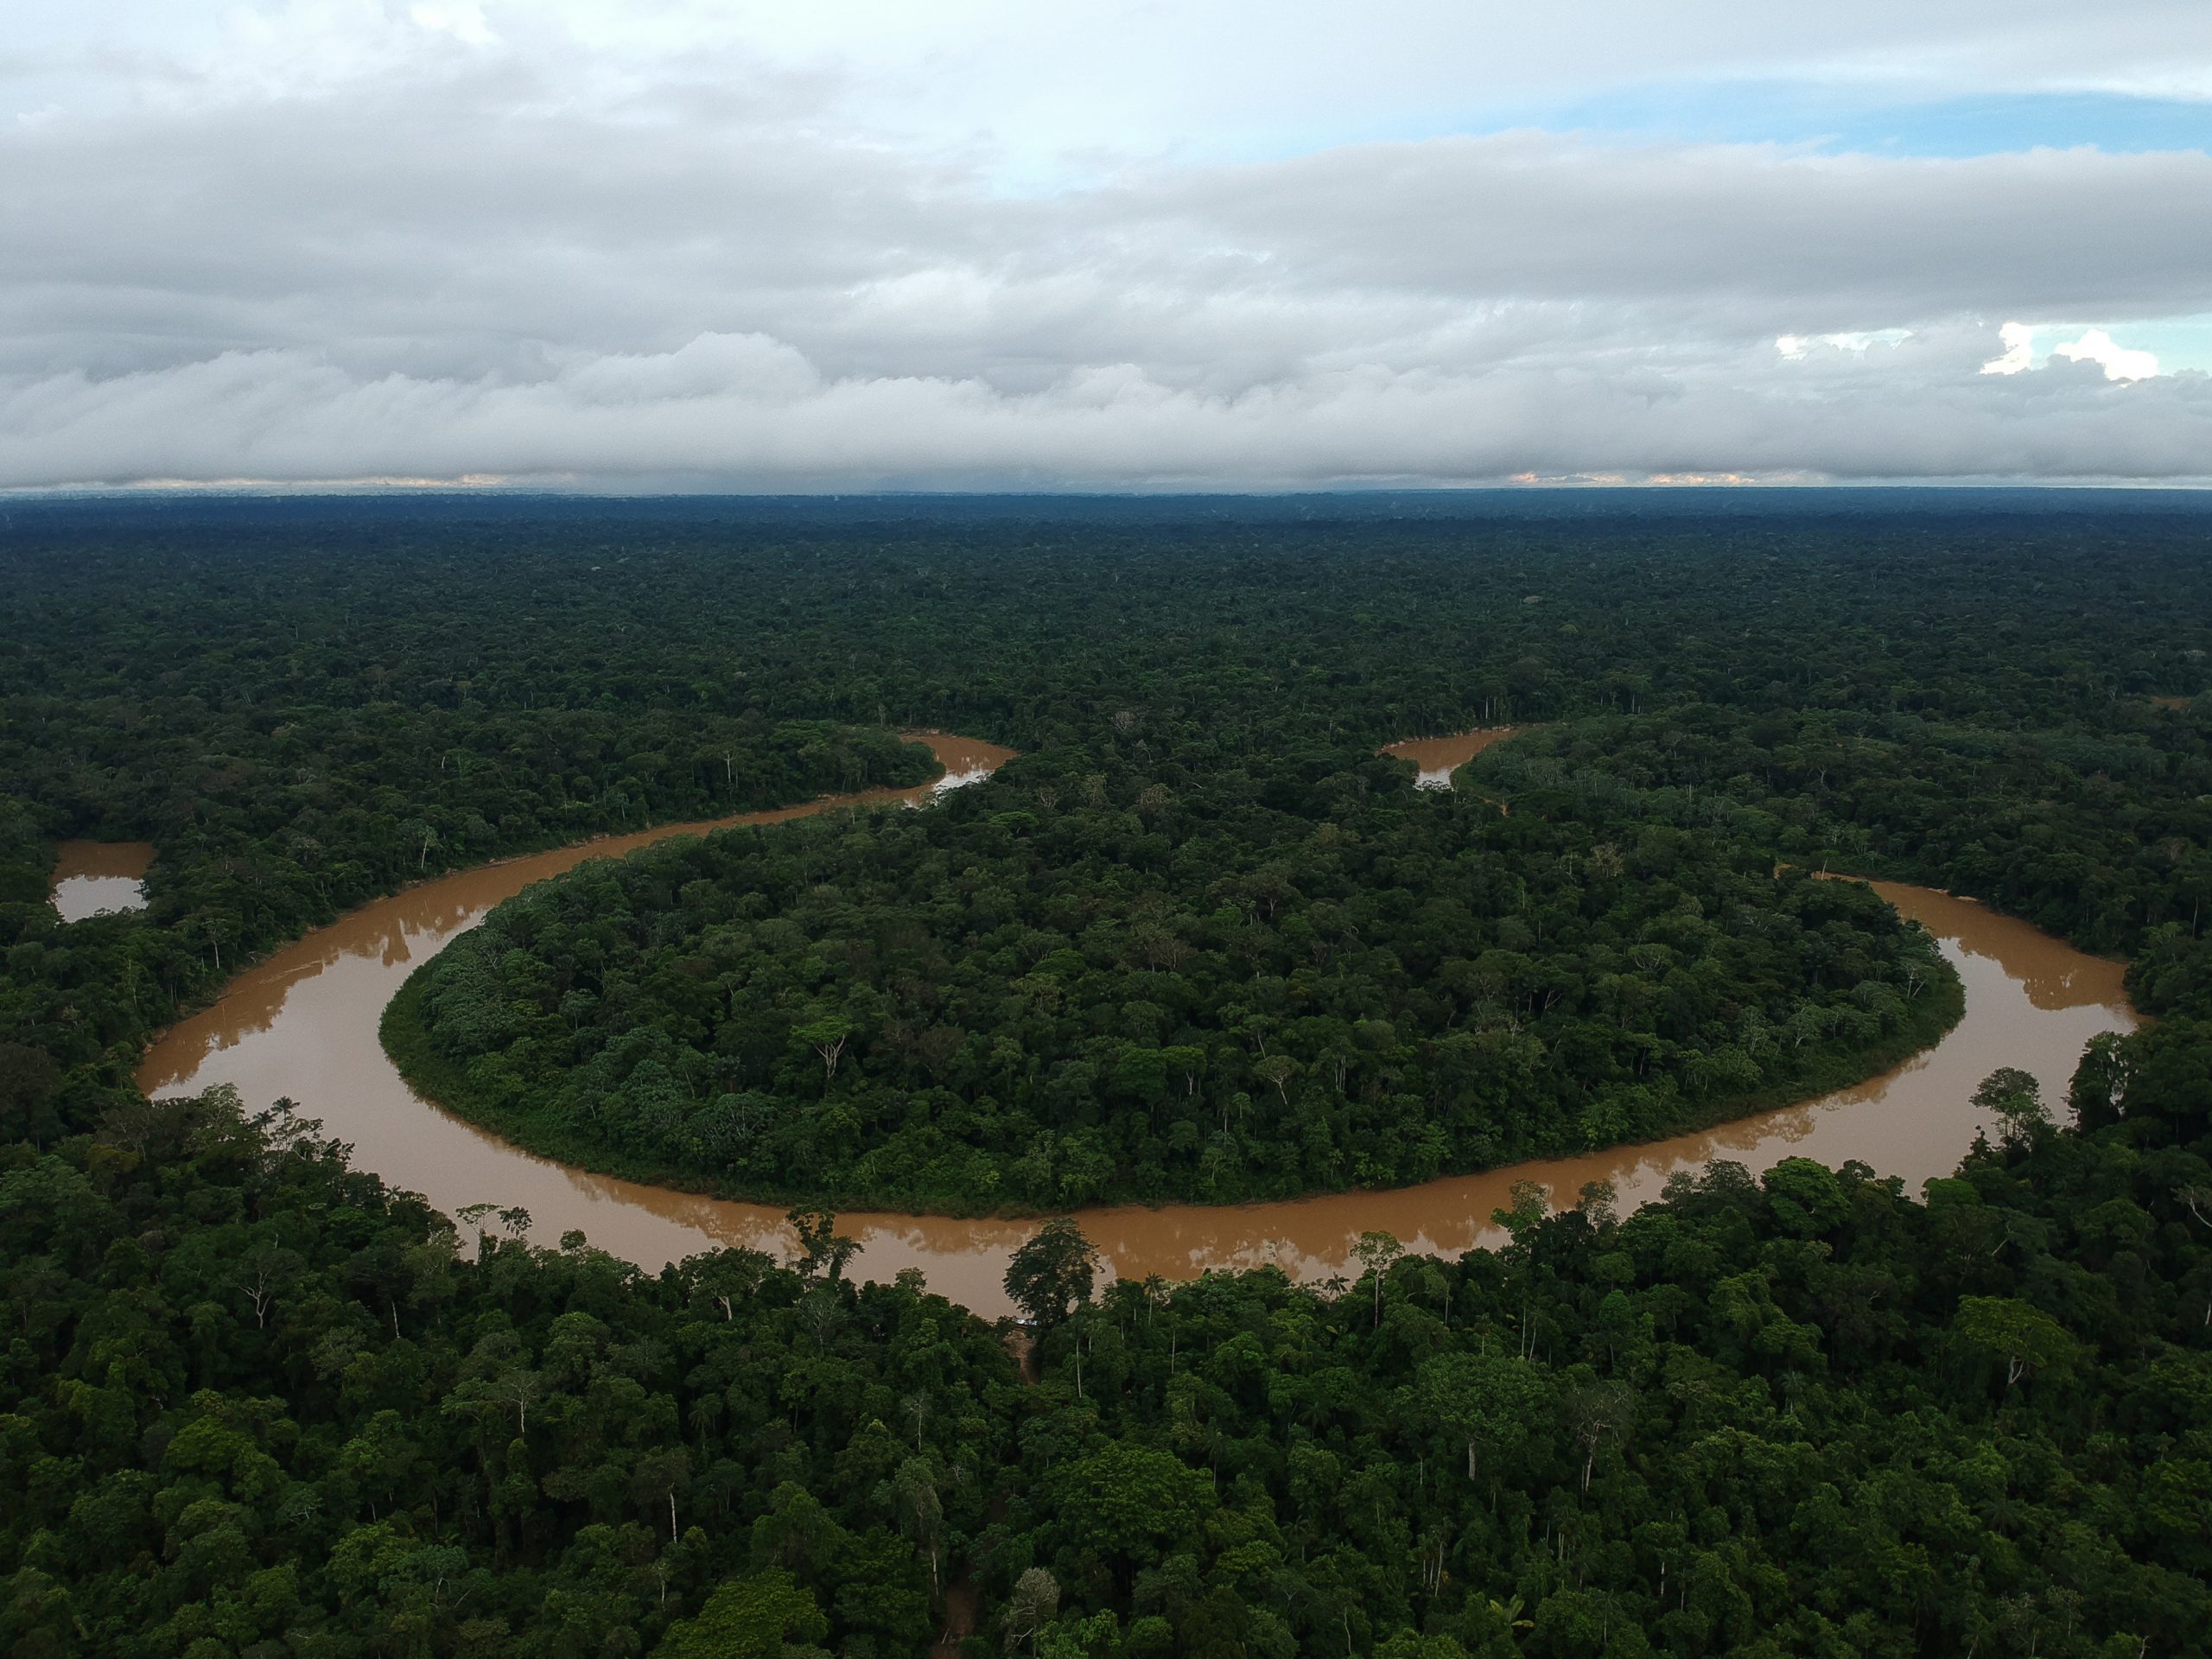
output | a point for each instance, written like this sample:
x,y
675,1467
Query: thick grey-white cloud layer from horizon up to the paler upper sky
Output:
x,y
702,271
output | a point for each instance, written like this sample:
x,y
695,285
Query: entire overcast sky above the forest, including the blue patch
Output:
x,y
972,244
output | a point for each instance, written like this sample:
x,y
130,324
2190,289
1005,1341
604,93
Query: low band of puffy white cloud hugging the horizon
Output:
x,y
775,426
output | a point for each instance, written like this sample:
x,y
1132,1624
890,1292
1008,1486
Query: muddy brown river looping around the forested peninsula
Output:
x,y
304,1025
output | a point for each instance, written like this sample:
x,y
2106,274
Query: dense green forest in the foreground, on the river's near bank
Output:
x,y
255,1406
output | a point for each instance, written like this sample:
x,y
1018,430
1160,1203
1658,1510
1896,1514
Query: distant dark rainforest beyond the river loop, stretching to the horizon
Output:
x,y
304,705
